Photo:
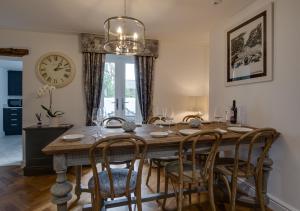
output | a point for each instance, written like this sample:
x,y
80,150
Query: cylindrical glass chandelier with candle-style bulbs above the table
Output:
x,y
124,35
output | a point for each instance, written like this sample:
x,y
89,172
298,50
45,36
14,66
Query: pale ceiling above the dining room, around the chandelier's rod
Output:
x,y
161,17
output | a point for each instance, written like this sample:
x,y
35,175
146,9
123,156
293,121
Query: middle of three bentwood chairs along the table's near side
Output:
x,y
189,172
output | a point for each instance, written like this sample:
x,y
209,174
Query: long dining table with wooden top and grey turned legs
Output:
x,y
66,154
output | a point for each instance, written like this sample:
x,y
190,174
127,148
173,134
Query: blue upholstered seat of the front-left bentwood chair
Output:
x,y
119,177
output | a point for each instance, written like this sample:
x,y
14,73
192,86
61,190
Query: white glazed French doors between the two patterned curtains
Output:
x,y
119,96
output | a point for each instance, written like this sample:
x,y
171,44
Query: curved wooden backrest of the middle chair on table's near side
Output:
x,y
192,142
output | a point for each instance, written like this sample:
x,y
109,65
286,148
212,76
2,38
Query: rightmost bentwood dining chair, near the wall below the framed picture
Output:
x,y
238,168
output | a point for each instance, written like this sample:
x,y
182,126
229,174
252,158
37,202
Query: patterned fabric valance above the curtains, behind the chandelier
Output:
x,y
94,43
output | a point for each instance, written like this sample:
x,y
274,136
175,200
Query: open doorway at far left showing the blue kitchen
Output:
x,y
11,71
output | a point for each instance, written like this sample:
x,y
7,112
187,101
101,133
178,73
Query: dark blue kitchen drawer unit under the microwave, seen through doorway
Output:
x,y
12,121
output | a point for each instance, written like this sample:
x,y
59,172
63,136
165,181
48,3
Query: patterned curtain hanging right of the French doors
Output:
x,y
144,84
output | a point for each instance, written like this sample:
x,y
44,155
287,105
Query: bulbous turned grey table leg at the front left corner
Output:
x,y
61,190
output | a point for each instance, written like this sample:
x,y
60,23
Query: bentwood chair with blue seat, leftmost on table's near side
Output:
x,y
117,182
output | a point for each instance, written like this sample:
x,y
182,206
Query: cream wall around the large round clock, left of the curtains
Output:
x,y
68,99
